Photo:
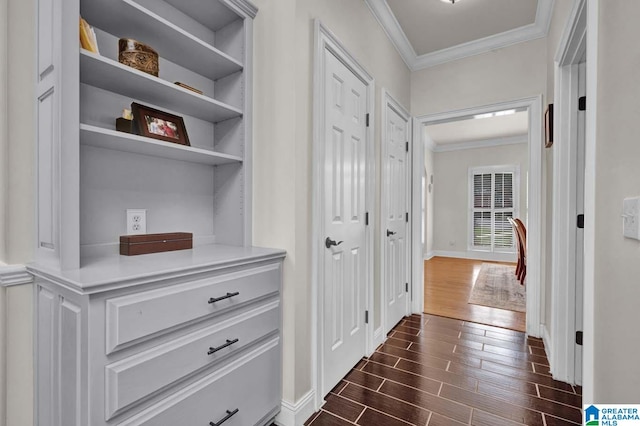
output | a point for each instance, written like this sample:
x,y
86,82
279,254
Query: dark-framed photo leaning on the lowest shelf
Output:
x,y
156,124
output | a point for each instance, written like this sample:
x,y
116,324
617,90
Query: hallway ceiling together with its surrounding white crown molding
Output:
x,y
431,32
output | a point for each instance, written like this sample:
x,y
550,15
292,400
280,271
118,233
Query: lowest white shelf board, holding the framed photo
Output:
x,y
121,141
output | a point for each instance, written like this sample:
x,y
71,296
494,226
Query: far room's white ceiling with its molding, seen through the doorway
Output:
x,y
469,133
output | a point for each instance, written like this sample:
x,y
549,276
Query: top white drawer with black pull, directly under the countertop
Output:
x,y
137,316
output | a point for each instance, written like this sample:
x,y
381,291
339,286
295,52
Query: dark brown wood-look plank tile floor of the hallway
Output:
x,y
439,371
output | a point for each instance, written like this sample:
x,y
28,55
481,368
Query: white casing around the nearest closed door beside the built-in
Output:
x,y
325,40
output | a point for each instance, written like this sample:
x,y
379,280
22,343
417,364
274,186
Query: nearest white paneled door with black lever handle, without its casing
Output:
x,y
343,289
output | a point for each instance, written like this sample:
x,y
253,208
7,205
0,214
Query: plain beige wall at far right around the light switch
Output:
x,y
617,175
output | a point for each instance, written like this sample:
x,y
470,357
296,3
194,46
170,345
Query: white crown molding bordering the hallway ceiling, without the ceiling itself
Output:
x,y
391,26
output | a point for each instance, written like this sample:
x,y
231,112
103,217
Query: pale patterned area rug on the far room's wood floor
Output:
x,y
498,287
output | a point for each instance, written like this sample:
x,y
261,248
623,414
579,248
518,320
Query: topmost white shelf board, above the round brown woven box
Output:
x,y
126,18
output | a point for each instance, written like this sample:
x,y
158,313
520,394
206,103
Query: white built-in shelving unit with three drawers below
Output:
x,y
187,337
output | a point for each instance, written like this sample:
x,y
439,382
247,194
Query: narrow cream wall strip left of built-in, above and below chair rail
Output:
x,y
17,205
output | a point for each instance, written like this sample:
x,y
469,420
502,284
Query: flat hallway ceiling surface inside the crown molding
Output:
x,y
432,25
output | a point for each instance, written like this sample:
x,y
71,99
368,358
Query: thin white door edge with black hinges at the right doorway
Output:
x,y
580,166
